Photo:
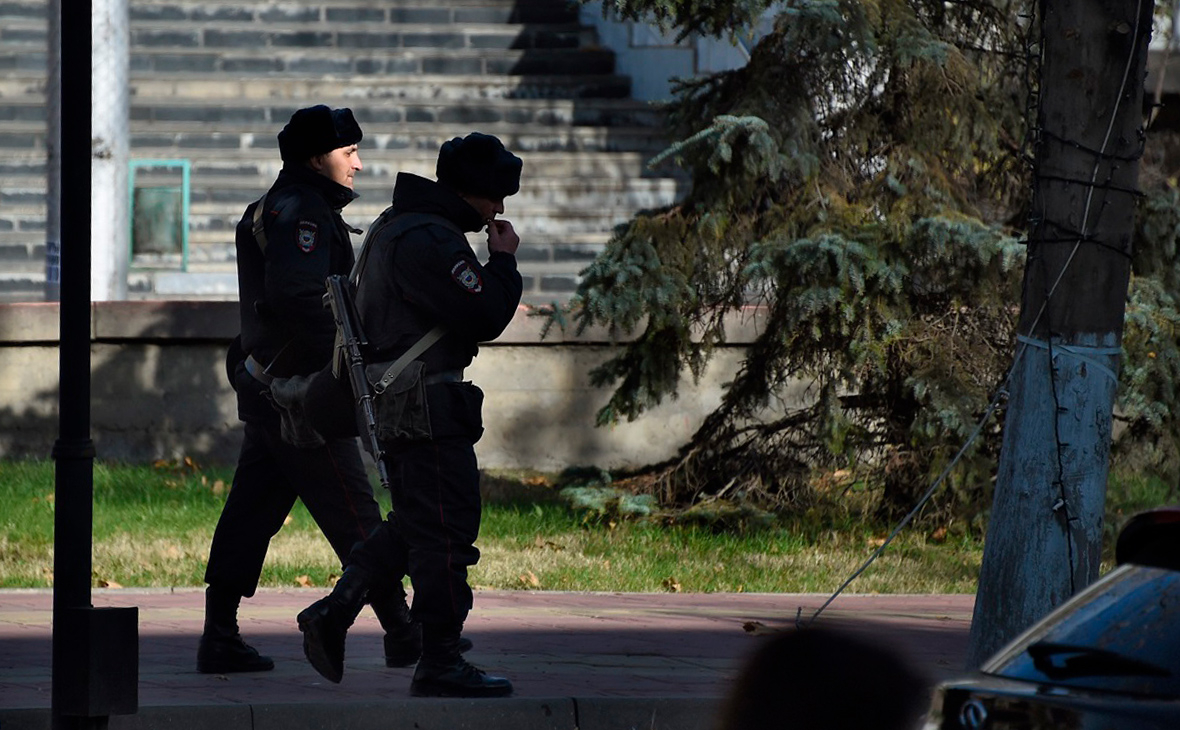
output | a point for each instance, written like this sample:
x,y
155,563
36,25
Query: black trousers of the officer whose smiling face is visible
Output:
x,y
271,475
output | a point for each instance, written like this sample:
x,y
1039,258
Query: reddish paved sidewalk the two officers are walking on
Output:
x,y
578,661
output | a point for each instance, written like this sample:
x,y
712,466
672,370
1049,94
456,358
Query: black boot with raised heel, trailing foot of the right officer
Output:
x,y
326,623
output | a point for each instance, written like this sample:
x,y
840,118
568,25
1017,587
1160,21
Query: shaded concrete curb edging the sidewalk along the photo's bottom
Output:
x,y
510,714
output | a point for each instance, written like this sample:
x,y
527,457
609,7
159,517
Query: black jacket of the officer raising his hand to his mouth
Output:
x,y
431,277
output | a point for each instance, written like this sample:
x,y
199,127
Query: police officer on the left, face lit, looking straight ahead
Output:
x,y
289,244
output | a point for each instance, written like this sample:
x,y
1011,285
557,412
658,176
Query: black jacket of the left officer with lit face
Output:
x,y
281,292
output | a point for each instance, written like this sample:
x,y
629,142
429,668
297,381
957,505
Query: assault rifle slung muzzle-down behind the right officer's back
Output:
x,y
350,340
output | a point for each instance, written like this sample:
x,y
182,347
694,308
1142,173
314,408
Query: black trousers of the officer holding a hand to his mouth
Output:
x,y
432,531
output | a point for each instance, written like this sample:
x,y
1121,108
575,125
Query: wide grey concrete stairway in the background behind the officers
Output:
x,y
213,84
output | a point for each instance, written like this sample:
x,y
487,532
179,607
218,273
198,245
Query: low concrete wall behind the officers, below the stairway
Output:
x,y
159,390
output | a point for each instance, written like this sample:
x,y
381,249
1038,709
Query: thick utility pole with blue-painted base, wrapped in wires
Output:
x,y
1045,536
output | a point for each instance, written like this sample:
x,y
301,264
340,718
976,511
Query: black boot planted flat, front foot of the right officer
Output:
x,y
444,673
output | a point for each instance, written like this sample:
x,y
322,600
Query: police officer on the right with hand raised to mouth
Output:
x,y
414,281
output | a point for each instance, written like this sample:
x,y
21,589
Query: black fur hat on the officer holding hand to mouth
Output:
x,y
480,165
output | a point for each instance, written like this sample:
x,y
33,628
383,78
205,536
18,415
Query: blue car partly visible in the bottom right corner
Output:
x,y
1107,660
